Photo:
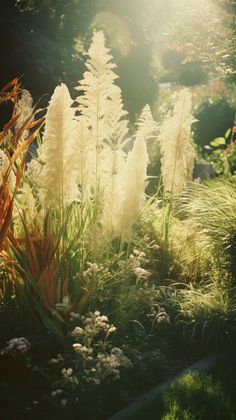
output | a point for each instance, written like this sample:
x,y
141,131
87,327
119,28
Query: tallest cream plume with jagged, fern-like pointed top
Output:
x,y
101,108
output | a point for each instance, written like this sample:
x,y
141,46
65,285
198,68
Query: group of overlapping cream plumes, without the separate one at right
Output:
x,y
83,159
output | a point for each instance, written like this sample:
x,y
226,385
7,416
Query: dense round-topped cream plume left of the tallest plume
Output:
x,y
58,177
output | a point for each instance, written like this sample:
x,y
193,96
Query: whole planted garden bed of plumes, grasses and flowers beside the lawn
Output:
x,y
108,288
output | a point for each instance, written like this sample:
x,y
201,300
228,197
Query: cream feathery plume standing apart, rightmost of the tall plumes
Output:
x,y
176,148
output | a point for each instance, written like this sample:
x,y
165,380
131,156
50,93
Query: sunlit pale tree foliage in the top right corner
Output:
x,y
204,33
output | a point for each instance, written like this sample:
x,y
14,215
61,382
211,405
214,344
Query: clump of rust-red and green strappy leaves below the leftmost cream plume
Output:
x,y
45,273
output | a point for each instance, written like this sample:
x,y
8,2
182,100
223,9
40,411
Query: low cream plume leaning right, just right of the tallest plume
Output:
x,y
124,193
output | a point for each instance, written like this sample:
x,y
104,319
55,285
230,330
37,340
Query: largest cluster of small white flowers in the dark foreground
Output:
x,y
97,360
